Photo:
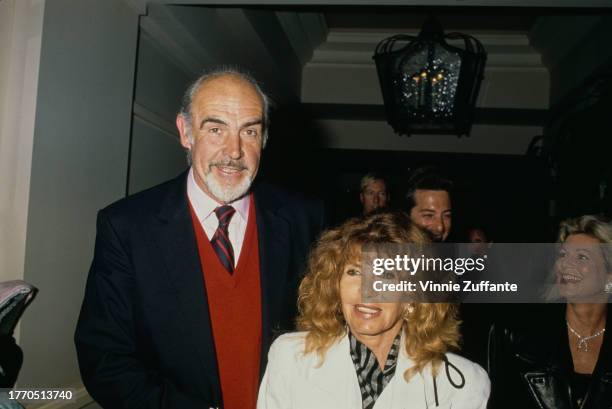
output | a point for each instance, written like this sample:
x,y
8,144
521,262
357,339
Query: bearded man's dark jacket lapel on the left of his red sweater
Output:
x,y
173,231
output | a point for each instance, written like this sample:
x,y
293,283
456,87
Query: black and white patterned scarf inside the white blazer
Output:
x,y
372,380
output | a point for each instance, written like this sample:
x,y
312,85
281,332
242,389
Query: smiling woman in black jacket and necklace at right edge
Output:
x,y
561,357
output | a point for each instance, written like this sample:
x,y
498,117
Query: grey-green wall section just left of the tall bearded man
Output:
x,y
79,164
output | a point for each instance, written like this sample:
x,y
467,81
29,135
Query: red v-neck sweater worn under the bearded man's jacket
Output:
x,y
234,301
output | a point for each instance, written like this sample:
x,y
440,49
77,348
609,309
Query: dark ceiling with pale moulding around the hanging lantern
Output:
x,y
321,56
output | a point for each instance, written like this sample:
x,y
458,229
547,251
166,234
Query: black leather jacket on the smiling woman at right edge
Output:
x,y
530,364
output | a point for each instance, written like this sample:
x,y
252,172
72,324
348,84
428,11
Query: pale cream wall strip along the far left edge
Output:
x,y
21,25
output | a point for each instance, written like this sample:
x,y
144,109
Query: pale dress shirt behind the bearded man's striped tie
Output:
x,y
204,207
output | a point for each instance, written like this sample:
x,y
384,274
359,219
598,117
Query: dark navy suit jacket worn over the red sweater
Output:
x,y
144,334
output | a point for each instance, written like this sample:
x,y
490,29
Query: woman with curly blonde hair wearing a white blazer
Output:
x,y
352,354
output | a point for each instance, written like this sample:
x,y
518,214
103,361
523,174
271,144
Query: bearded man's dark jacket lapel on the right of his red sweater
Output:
x,y
274,254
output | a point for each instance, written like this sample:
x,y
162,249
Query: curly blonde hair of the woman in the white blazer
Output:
x,y
430,330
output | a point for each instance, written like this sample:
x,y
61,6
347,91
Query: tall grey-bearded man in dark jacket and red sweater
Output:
x,y
191,278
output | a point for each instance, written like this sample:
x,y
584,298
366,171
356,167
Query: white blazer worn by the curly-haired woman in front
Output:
x,y
294,381
